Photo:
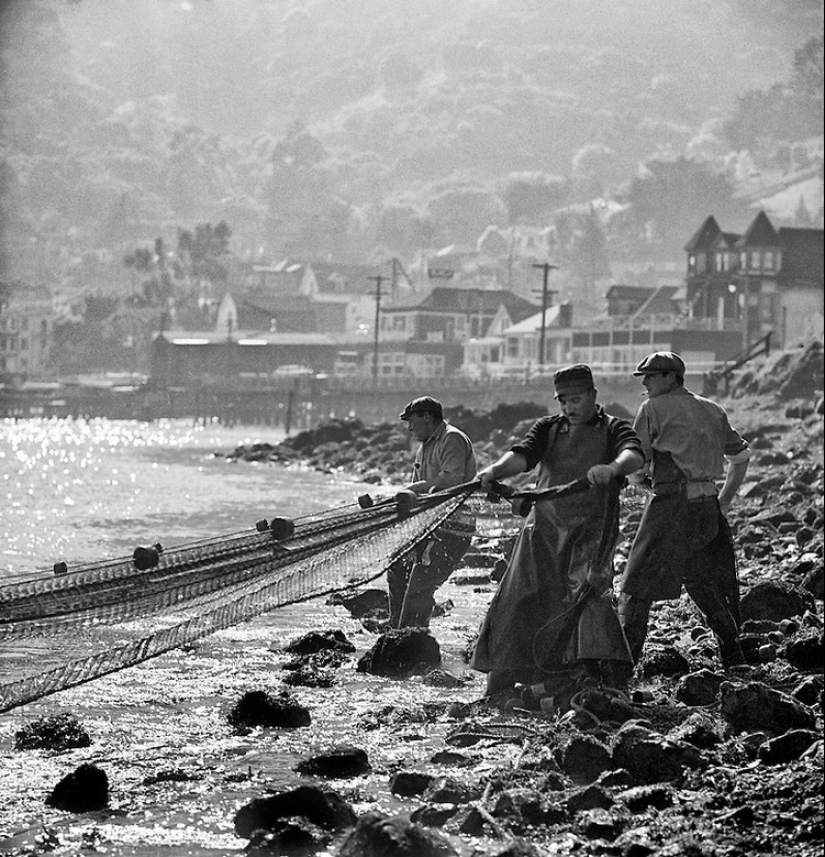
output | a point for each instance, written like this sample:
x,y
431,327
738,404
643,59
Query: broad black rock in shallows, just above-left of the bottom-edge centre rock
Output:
x,y
320,806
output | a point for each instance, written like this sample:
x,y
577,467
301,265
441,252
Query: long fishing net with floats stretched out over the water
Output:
x,y
61,631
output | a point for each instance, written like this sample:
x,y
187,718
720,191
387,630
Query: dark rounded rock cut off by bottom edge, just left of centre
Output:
x,y
377,835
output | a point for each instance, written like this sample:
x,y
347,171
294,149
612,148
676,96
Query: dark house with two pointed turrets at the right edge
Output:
x,y
763,281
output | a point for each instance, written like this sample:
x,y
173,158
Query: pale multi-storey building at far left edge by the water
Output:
x,y
26,323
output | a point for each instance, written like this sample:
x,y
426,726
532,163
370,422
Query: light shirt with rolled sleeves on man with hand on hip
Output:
x,y
694,430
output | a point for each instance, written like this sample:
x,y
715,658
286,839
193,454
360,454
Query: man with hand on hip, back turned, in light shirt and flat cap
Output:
x,y
683,537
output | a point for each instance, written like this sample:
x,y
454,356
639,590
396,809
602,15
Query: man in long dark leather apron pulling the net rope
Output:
x,y
564,550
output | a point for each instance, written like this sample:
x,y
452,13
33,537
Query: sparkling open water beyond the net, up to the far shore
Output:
x,y
85,490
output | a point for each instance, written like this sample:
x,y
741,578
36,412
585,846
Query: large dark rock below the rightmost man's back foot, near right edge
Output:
x,y
754,706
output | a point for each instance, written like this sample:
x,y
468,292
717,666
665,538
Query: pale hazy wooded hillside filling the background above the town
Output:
x,y
352,129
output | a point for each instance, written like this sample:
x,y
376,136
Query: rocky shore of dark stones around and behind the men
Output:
x,y
693,761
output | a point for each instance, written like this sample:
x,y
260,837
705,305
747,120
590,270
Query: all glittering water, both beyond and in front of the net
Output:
x,y
93,490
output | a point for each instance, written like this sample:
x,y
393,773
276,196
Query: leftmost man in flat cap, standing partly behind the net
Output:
x,y
444,458
